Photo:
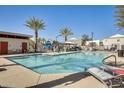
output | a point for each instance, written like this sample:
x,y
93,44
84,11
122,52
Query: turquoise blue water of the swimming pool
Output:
x,y
67,63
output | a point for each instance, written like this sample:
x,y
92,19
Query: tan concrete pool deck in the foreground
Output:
x,y
19,76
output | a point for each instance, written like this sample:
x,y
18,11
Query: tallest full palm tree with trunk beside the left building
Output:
x,y
35,25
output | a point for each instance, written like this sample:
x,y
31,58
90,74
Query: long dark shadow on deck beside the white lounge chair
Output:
x,y
70,79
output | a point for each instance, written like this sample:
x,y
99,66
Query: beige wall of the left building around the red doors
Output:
x,y
15,44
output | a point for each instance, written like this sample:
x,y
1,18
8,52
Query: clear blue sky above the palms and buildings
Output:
x,y
81,20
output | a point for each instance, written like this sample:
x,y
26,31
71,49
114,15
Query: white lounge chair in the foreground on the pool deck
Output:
x,y
106,78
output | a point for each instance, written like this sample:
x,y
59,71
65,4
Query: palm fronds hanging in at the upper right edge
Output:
x,y
120,16
